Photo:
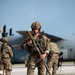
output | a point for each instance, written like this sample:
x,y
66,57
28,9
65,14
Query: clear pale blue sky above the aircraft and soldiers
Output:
x,y
57,17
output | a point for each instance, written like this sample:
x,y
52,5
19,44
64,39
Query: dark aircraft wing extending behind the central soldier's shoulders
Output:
x,y
52,37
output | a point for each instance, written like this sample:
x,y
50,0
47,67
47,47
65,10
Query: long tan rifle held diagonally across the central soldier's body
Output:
x,y
35,45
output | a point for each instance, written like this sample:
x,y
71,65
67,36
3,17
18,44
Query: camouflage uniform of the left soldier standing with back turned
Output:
x,y
7,53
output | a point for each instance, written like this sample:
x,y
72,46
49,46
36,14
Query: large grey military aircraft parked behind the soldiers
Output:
x,y
66,45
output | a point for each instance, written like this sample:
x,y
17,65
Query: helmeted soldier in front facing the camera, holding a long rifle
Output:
x,y
34,59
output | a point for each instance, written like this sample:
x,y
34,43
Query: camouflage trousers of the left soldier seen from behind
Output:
x,y
6,66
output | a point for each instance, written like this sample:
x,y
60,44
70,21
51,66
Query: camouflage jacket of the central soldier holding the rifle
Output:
x,y
41,39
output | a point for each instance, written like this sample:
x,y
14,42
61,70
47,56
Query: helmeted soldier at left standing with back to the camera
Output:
x,y
6,54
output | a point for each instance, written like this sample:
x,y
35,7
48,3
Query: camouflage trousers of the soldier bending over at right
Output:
x,y
52,63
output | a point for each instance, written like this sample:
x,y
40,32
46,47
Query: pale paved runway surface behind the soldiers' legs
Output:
x,y
20,69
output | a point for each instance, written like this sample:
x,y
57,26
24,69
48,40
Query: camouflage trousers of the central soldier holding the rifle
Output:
x,y
34,62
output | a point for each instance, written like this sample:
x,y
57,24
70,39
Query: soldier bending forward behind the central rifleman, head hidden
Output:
x,y
52,60
